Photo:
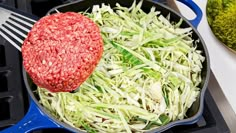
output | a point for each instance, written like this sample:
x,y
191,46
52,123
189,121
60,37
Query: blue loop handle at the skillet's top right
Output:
x,y
196,9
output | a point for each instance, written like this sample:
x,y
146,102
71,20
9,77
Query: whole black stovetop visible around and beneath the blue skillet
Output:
x,y
13,95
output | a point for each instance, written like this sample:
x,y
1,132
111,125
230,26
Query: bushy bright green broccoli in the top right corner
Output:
x,y
221,16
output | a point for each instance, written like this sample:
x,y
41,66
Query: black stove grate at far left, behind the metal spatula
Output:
x,y
12,103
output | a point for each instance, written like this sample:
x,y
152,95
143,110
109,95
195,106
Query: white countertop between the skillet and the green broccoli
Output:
x,y
223,61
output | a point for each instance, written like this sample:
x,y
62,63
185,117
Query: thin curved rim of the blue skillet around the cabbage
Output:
x,y
185,121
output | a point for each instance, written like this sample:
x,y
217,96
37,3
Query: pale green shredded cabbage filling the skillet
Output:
x,y
148,76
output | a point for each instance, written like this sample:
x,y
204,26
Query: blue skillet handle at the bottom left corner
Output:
x,y
34,119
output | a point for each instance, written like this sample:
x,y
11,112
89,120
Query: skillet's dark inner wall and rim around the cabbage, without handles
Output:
x,y
194,113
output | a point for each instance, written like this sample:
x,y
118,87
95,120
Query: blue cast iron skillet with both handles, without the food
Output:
x,y
38,117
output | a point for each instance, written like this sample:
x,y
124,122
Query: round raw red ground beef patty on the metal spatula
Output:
x,y
61,51
